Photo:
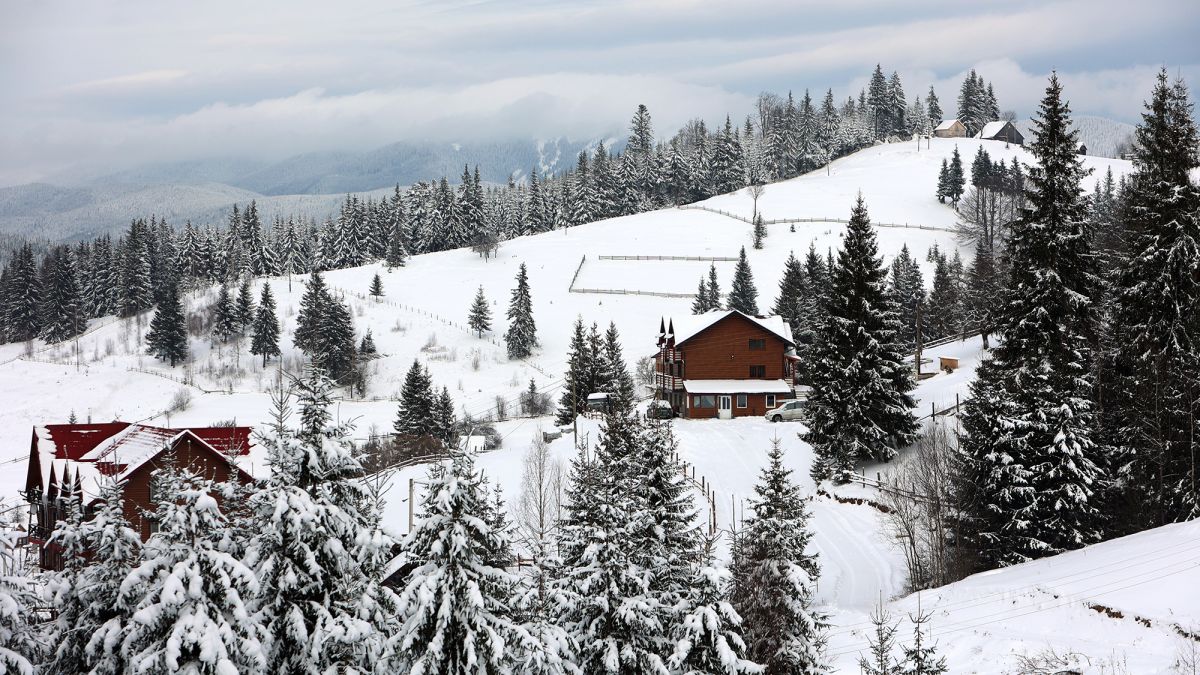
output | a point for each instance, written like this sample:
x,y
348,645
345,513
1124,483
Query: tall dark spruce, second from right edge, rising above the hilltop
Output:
x,y
1029,428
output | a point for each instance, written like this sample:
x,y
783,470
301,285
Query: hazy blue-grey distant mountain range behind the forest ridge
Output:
x,y
85,205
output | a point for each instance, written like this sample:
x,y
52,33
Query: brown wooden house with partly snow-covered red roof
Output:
x,y
74,461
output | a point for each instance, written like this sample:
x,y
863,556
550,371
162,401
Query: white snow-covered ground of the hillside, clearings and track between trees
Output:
x,y
423,316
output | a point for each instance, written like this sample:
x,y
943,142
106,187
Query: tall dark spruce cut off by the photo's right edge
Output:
x,y
1155,401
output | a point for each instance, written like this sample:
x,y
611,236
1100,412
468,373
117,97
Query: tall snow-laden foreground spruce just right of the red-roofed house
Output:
x,y
314,511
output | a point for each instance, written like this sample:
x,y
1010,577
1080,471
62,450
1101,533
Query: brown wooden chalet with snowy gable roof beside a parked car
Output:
x,y
725,365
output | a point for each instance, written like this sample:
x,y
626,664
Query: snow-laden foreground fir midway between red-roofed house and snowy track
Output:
x,y
455,607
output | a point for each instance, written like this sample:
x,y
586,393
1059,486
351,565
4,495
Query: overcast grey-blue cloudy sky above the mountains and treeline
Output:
x,y
115,83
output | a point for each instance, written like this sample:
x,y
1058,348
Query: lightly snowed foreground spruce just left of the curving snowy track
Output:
x,y
775,581
